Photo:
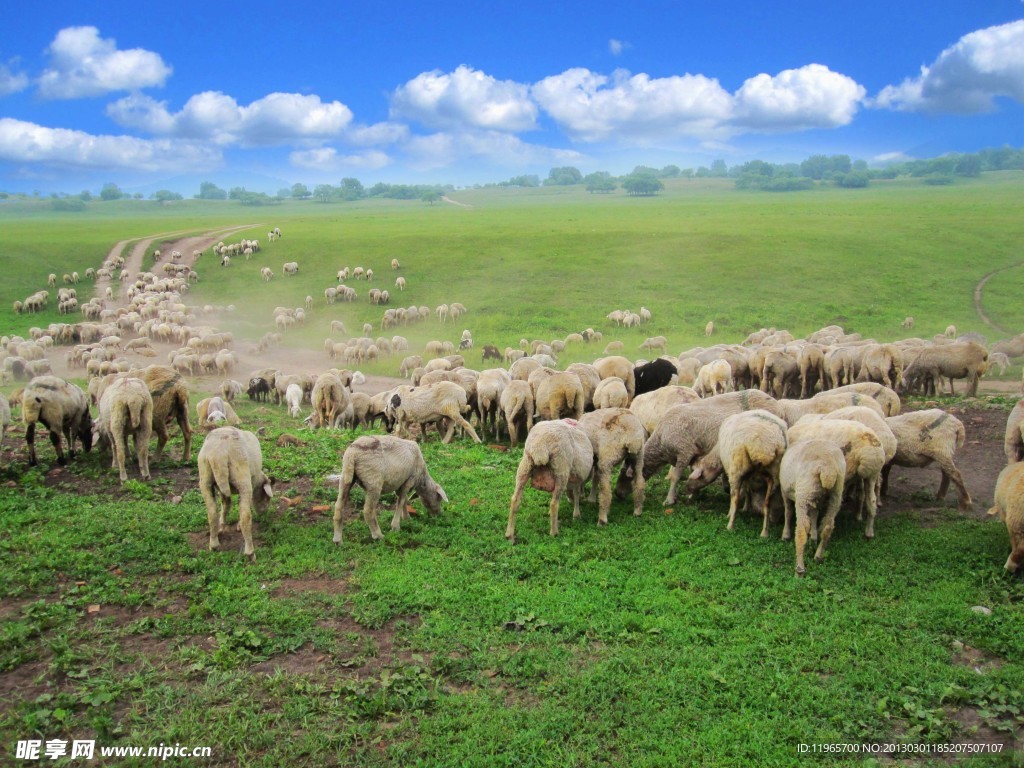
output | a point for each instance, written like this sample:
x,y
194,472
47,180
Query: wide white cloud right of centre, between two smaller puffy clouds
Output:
x,y
593,108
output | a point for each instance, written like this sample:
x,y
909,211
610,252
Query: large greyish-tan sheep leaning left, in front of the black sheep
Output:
x,y
687,433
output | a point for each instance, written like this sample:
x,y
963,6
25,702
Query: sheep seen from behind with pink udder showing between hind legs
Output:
x,y
557,458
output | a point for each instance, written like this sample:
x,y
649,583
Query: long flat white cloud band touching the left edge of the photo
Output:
x,y
28,143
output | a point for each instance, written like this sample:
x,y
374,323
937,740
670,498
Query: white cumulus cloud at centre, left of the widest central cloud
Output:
x,y
465,99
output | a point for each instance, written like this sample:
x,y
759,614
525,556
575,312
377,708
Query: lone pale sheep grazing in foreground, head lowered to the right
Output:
x,y
385,464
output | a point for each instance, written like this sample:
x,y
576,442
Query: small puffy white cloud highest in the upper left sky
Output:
x,y
83,65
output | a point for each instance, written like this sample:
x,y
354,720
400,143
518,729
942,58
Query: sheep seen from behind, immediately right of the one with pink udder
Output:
x,y
617,437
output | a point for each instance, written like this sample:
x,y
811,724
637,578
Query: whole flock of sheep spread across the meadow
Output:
x,y
793,425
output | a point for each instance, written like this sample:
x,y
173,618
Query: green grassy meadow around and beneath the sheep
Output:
x,y
660,641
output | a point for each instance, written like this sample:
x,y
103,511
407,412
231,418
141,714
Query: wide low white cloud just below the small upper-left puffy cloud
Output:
x,y
276,119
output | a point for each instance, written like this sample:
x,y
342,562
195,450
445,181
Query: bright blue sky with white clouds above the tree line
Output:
x,y
143,94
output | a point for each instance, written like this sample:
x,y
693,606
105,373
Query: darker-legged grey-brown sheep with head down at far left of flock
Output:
x,y
63,409
